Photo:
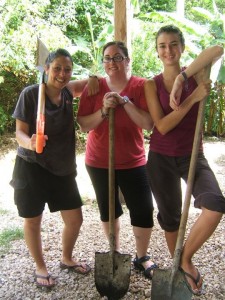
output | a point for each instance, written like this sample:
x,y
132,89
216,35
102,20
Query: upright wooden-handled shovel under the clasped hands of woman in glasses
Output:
x,y
112,269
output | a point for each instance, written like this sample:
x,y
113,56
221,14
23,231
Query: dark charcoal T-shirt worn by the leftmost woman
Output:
x,y
58,156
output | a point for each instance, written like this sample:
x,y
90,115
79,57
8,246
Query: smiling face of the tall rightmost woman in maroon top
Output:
x,y
169,48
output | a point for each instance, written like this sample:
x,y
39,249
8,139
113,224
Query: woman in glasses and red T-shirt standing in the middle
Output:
x,y
125,93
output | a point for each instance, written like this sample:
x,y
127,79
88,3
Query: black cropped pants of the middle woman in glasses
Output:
x,y
134,185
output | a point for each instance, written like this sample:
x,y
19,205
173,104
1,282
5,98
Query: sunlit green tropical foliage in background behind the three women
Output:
x,y
83,26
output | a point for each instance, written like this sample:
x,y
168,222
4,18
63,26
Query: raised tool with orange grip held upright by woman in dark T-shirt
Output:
x,y
42,53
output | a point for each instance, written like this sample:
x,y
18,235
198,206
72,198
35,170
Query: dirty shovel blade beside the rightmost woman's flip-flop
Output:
x,y
163,288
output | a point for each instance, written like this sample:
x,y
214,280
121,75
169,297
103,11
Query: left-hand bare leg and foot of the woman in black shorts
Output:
x,y
32,234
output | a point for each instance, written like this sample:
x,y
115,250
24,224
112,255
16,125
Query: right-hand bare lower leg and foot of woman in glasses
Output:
x,y
142,238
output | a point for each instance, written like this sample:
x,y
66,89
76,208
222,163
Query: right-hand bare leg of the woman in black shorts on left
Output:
x,y
72,222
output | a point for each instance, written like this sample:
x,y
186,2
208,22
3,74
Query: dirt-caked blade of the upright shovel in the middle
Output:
x,y
112,274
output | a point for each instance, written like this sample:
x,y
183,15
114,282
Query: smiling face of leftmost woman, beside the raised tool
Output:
x,y
59,72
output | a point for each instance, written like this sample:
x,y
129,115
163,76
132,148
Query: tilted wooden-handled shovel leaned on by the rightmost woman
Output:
x,y
170,284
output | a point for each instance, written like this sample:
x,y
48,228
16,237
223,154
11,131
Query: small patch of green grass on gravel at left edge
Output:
x,y
7,236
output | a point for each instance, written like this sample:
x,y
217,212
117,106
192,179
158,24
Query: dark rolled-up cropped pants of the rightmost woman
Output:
x,y
165,174
